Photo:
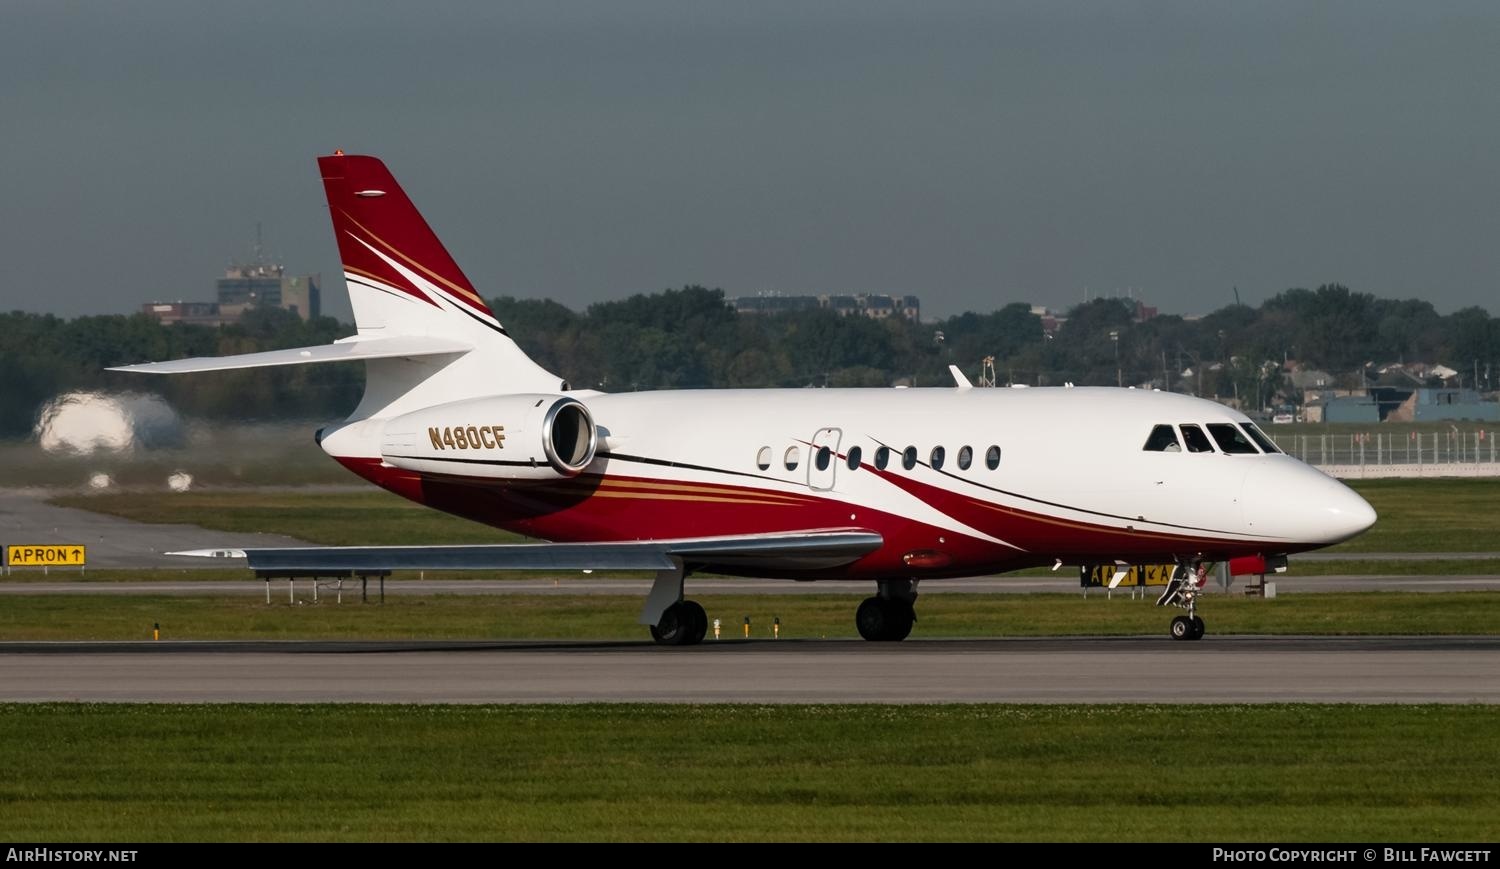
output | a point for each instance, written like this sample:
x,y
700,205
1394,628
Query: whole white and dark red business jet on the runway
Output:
x,y
892,487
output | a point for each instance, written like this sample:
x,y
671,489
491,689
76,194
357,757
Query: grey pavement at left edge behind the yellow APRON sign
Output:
x,y
115,543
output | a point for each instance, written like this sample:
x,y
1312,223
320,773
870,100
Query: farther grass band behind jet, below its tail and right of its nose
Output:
x,y
1430,516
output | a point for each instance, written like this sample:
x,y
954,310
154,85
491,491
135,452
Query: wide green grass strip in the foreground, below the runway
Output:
x,y
749,774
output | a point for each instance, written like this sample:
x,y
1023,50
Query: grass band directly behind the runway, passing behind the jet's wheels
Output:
x,y
61,618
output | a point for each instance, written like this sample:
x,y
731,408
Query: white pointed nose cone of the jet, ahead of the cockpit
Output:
x,y
1300,505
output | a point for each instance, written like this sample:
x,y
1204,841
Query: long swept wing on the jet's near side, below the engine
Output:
x,y
793,552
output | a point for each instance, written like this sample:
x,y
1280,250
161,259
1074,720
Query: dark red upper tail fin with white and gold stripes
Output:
x,y
383,239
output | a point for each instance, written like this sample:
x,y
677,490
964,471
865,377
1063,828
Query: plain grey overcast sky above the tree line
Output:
x,y
974,154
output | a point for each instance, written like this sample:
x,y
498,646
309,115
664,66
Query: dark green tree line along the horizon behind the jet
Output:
x,y
692,338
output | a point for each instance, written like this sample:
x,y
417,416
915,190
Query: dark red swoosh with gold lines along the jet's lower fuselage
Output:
x,y
620,508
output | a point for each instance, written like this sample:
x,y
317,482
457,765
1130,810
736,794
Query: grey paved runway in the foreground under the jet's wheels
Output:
x,y
1043,670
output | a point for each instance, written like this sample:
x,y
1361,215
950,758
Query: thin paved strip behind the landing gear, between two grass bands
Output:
x,y
701,588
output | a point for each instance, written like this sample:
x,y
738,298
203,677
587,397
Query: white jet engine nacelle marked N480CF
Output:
x,y
520,438
